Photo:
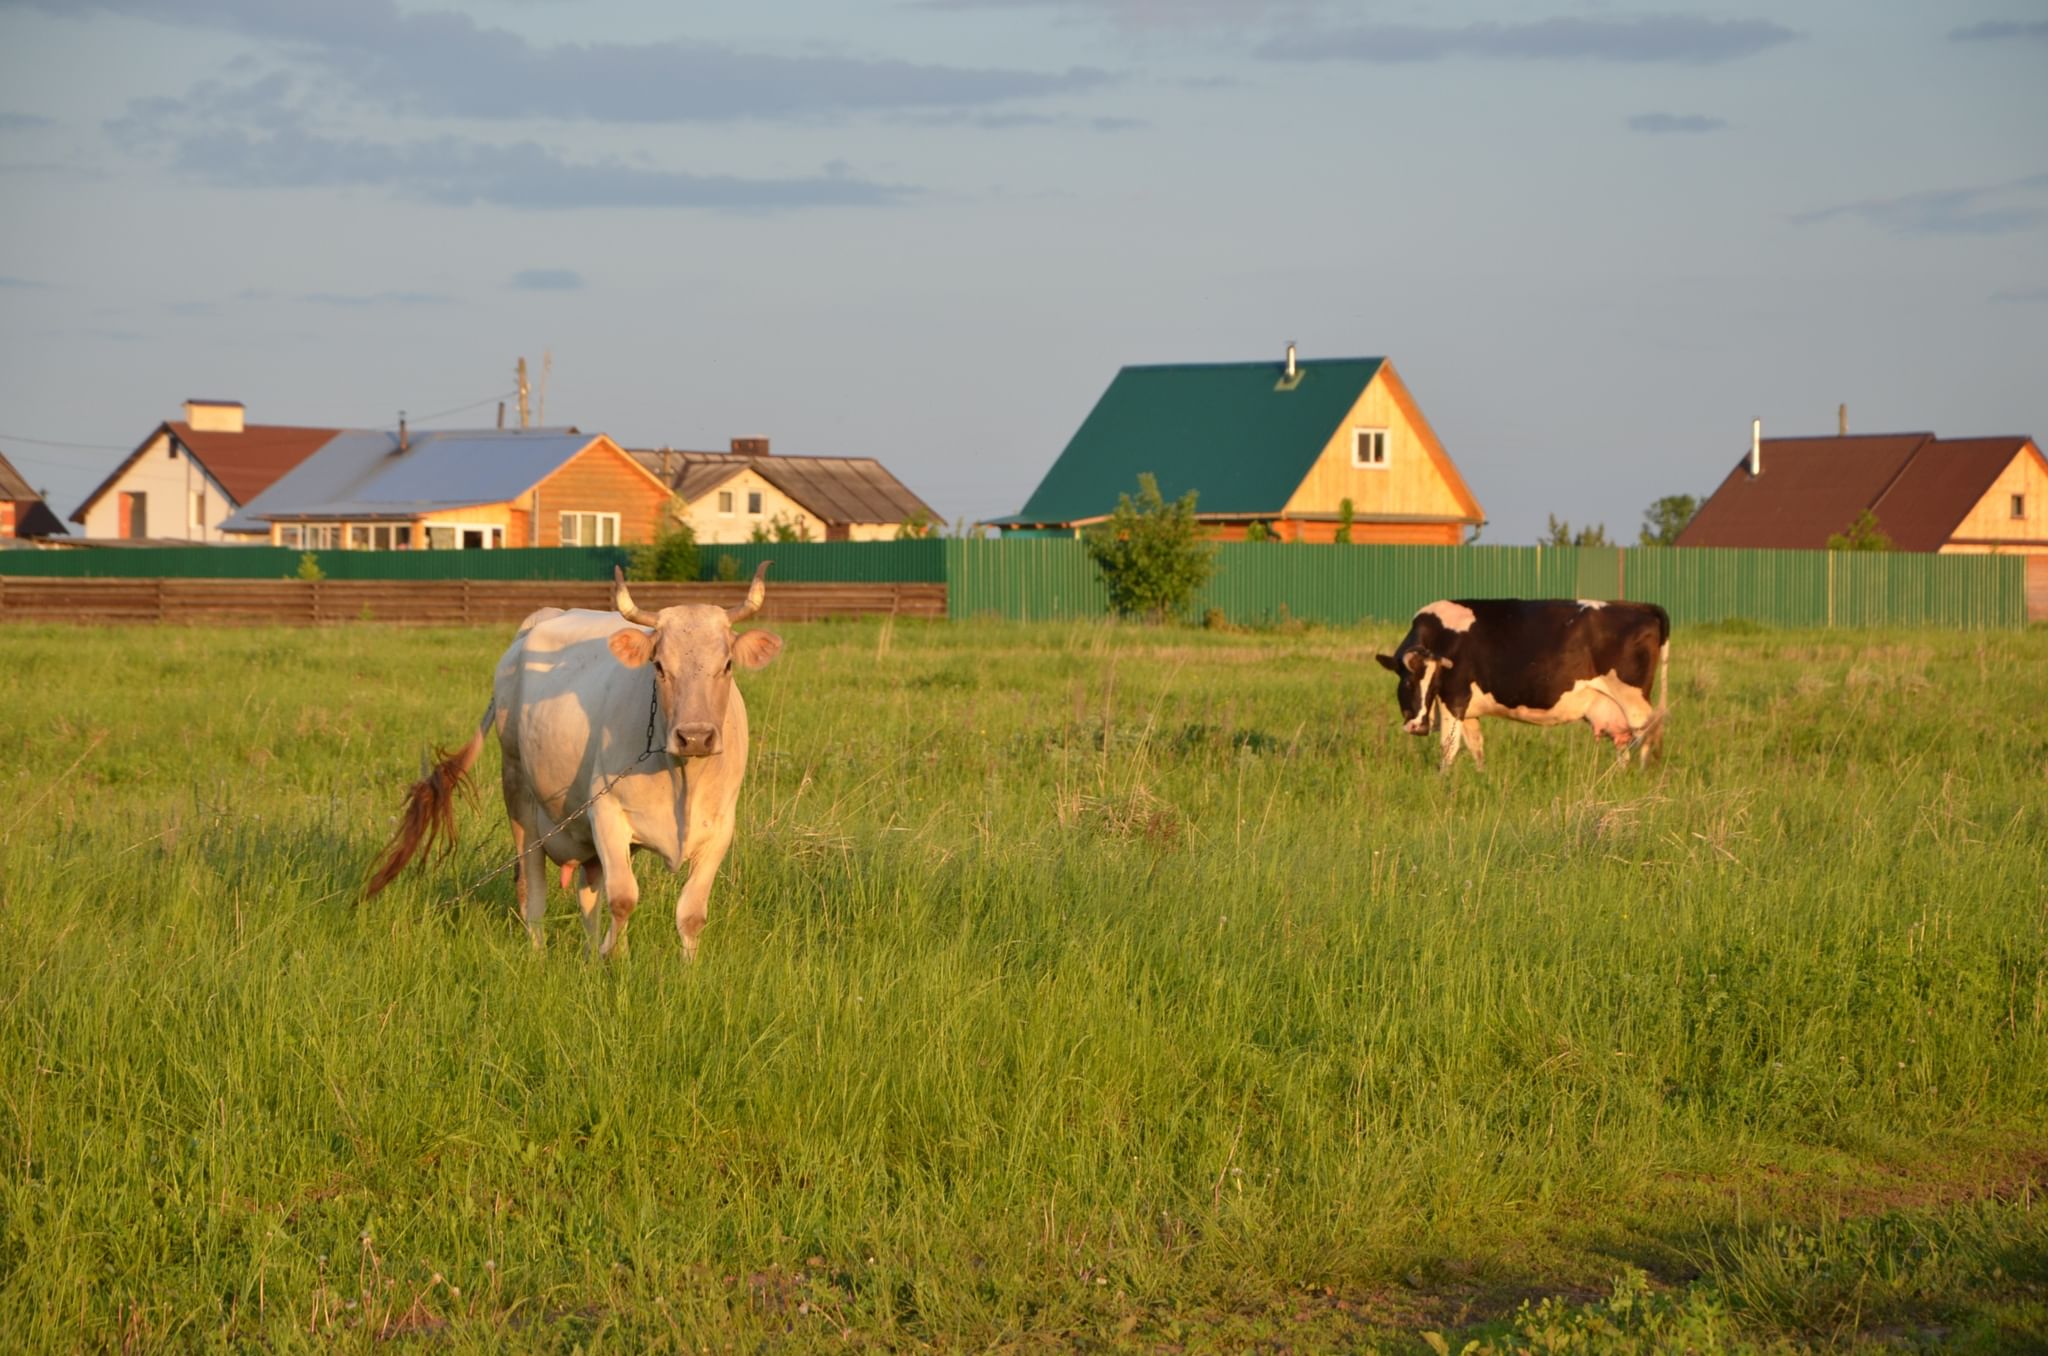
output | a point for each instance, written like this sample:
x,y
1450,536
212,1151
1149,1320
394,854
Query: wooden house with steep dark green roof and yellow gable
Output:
x,y
1279,446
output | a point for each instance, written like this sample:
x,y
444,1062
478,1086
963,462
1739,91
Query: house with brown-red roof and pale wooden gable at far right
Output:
x,y
1926,493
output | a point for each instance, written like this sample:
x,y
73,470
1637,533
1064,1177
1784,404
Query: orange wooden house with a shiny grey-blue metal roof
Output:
x,y
460,491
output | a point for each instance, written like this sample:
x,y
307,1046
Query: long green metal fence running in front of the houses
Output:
x,y
1052,579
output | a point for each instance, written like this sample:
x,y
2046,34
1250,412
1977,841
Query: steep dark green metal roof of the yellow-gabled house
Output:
x,y
1234,433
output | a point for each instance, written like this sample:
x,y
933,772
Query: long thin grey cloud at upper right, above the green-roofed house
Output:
x,y
1650,38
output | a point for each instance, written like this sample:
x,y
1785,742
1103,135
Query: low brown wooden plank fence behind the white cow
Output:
x,y
452,603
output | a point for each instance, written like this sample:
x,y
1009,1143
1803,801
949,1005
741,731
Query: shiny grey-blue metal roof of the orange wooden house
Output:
x,y
364,474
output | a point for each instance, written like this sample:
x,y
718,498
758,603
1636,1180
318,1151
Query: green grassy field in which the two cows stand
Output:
x,y
1086,986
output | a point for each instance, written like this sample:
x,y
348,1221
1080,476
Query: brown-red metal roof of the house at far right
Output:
x,y
1918,484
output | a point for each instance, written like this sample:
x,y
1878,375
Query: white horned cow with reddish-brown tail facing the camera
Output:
x,y
620,730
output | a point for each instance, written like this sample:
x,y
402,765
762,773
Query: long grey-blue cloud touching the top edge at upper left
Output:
x,y
445,65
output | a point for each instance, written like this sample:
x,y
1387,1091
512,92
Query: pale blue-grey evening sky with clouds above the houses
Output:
x,y
1594,239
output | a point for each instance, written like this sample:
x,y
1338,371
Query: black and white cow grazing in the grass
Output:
x,y
1543,663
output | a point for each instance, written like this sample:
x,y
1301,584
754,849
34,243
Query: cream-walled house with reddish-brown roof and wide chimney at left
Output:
x,y
187,478
